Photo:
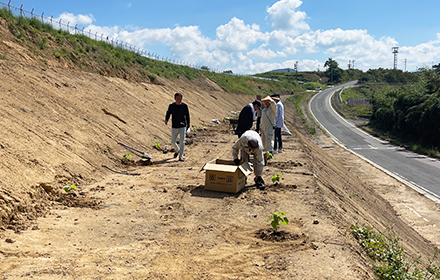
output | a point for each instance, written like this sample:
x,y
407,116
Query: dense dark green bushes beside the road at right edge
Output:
x,y
411,111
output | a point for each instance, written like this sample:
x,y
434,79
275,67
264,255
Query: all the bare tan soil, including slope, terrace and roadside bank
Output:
x,y
154,220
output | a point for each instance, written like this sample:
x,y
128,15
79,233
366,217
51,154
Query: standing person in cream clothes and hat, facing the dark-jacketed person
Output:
x,y
268,117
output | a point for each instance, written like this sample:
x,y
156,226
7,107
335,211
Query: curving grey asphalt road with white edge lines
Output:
x,y
418,171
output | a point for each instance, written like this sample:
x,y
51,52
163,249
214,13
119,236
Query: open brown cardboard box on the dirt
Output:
x,y
225,176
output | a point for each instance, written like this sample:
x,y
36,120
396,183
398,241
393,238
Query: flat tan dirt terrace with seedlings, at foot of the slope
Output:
x,y
162,224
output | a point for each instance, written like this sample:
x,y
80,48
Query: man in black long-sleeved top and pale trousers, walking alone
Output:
x,y
180,121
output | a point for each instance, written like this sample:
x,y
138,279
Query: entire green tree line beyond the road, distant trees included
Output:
x,y
410,111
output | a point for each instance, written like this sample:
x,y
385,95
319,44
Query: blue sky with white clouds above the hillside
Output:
x,y
256,36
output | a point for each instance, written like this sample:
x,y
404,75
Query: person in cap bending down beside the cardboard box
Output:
x,y
250,144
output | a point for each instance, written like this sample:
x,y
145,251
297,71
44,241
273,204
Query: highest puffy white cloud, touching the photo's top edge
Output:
x,y
283,16
